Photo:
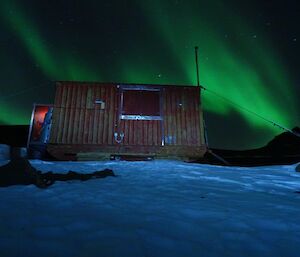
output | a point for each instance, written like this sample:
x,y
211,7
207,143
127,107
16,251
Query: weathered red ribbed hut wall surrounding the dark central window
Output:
x,y
78,120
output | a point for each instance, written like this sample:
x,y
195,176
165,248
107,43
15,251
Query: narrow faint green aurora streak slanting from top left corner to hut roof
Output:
x,y
57,65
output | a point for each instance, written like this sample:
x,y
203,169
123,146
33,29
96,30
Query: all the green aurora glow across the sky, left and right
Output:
x,y
243,67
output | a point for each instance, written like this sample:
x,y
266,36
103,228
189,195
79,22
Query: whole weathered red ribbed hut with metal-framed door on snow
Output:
x,y
100,120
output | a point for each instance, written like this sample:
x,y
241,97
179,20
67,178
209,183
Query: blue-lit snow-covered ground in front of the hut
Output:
x,y
155,208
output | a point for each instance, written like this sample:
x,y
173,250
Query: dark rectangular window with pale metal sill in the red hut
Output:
x,y
142,104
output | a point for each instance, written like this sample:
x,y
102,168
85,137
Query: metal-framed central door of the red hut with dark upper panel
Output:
x,y
140,116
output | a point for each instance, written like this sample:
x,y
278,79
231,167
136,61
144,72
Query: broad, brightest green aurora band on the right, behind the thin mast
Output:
x,y
247,72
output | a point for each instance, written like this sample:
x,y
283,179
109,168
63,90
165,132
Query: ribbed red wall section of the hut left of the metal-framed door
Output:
x,y
76,117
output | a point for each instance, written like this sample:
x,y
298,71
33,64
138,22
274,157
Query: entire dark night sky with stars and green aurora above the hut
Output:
x,y
248,53
